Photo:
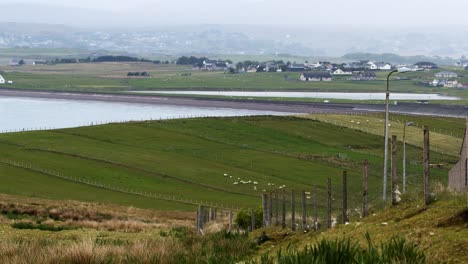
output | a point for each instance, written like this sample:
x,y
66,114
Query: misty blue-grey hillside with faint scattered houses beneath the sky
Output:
x,y
54,26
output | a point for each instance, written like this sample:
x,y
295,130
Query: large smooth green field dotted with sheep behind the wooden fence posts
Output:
x,y
185,160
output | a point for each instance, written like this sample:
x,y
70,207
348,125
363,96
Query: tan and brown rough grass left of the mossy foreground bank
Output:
x,y
47,231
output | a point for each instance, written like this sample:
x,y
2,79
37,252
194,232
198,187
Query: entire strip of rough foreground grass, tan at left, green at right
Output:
x,y
408,233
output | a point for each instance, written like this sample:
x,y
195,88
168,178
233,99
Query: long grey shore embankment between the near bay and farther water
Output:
x,y
248,104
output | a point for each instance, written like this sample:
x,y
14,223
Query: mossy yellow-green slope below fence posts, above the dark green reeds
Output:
x,y
439,230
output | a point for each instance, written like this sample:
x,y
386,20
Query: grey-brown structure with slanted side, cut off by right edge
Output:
x,y
458,175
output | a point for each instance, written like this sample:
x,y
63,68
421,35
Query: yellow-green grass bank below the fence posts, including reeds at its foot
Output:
x,y
439,231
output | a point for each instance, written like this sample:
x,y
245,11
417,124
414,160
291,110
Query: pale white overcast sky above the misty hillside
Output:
x,y
312,12
